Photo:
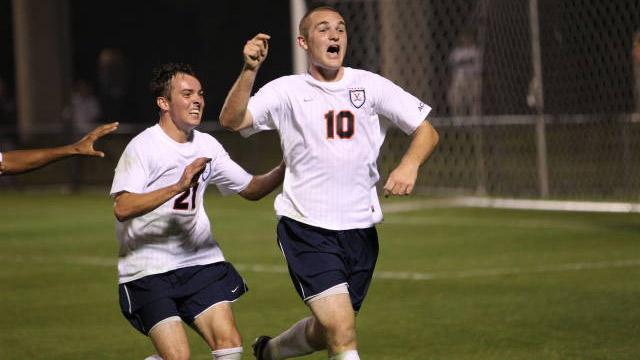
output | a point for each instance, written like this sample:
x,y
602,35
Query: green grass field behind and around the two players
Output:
x,y
454,283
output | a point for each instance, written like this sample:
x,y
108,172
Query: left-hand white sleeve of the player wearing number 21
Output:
x,y
131,172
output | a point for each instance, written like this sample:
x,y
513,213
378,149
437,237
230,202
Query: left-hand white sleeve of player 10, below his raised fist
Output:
x,y
265,107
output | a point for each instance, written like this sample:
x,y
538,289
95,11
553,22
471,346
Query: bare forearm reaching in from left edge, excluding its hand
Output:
x,y
19,161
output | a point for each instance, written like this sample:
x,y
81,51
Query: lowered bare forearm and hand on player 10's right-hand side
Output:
x,y
403,178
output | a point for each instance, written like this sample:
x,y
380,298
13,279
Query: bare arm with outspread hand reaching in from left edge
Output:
x,y
19,161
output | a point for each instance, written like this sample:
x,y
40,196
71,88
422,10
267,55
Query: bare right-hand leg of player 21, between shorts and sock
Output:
x,y
217,326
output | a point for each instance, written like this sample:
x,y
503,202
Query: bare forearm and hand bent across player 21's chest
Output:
x,y
130,205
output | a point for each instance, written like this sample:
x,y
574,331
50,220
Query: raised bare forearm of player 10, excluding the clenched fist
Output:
x,y
234,111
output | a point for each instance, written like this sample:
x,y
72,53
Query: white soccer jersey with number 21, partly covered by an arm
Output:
x,y
177,233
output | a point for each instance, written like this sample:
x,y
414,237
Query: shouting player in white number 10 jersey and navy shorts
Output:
x,y
330,135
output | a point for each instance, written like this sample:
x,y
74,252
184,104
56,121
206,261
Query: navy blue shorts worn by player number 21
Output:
x,y
184,292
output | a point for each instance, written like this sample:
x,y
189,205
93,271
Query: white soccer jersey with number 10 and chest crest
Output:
x,y
331,135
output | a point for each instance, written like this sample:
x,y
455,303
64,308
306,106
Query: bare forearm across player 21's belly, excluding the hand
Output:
x,y
130,205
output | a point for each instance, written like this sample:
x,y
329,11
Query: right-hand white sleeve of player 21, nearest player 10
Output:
x,y
226,174
